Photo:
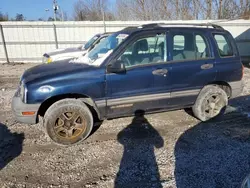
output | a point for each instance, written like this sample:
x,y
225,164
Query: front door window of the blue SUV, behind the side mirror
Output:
x,y
146,50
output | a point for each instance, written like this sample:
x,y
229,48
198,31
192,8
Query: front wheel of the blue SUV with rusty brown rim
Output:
x,y
68,121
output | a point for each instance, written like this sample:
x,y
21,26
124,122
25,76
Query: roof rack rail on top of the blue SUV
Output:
x,y
153,25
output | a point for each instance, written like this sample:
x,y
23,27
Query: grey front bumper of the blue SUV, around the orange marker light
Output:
x,y
18,107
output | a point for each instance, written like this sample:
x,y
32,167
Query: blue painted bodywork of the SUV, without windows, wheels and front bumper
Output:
x,y
119,94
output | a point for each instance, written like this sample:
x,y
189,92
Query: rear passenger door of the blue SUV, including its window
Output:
x,y
193,65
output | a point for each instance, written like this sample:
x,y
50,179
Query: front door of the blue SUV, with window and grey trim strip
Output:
x,y
145,85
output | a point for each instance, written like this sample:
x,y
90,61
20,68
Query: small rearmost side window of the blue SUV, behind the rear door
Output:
x,y
224,47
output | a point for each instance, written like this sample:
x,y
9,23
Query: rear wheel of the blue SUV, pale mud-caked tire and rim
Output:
x,y
211,103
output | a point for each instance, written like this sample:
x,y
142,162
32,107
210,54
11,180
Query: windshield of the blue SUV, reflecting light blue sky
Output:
x,y
107,45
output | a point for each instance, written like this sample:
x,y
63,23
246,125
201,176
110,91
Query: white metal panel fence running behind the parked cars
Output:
x,y
27,41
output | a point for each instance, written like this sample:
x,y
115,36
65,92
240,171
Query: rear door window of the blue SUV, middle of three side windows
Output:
x,y
189,46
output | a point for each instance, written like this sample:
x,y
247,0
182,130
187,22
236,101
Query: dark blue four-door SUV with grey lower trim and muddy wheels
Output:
x,y
151,68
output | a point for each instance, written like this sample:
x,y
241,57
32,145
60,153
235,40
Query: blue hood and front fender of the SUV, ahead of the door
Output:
x,y
71,78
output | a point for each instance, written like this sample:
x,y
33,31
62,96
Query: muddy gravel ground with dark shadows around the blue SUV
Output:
x,y
170,149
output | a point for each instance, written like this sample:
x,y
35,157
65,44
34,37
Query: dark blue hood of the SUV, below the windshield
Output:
x,y
55,70
